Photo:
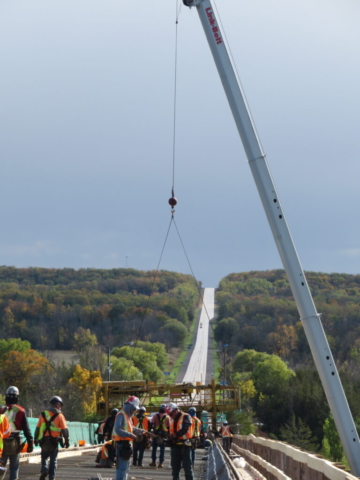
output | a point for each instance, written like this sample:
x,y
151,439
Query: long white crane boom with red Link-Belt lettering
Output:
x,y
257,160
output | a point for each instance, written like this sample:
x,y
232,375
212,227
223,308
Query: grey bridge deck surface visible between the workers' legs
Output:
x,y
83,468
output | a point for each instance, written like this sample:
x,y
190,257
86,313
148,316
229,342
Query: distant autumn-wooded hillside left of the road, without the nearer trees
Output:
x,y
47,306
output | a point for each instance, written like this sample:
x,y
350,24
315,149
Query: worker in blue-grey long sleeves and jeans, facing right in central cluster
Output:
x,y
124,433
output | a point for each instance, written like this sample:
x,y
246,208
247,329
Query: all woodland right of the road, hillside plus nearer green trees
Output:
x,y
267,353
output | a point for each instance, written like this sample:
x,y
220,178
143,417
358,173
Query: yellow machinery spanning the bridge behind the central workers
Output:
x,y
213,398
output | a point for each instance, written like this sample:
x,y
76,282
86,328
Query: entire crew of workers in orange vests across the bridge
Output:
x,y
127,433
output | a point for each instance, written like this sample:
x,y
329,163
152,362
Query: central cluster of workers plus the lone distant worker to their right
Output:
x,y
131,432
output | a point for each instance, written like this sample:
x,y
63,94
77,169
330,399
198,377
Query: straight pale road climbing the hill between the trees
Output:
x,y
196,371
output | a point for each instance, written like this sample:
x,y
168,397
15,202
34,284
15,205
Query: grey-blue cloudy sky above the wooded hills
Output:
x,y
86,120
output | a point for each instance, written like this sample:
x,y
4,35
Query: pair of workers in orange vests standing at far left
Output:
x,y
51,430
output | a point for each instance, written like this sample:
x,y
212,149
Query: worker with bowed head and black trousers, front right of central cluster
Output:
x,y
181,432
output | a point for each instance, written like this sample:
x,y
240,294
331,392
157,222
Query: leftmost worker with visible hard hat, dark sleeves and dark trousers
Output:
x,y
18,422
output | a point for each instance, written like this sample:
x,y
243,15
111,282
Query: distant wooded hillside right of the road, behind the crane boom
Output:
x,y
256,310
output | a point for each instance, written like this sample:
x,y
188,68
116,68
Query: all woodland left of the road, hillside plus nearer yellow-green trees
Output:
x,y
135,316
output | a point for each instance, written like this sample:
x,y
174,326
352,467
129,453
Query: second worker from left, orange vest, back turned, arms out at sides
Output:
x,y
50,430
